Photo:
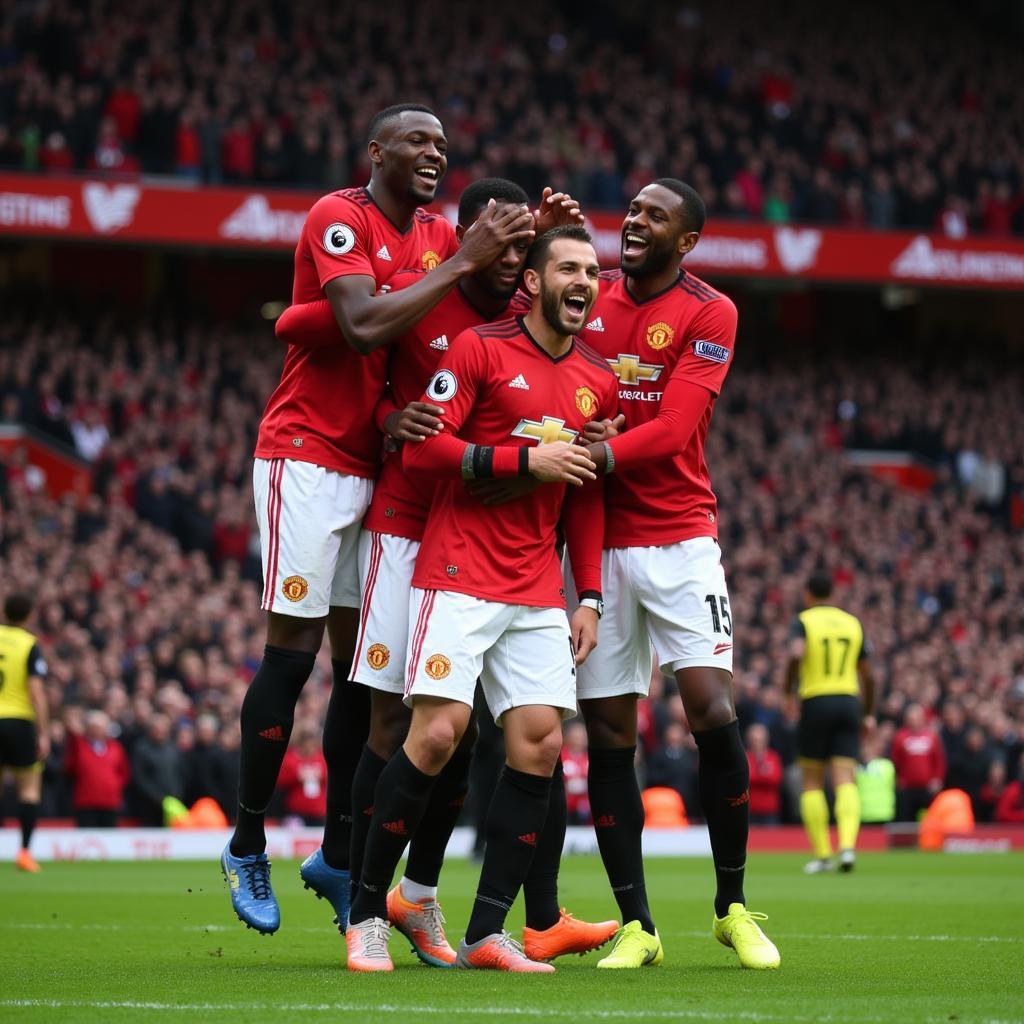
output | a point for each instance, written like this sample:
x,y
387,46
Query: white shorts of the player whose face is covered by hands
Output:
x,y
387,566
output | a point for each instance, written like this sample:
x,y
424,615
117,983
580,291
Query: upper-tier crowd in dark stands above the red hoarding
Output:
x,y
883,115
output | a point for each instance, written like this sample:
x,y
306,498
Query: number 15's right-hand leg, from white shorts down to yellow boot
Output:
x,y
682,588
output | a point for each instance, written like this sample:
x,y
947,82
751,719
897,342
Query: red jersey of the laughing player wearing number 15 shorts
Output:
x,y
687,333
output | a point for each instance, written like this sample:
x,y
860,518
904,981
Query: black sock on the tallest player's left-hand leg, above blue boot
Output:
x,y
268,712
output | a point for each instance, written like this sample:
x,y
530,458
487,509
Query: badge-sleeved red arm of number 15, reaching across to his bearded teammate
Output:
x,y
696,380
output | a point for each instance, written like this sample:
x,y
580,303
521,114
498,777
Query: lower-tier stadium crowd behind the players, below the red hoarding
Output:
x,y
148,593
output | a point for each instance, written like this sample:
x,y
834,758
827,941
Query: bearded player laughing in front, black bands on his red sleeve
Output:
x,y
488,600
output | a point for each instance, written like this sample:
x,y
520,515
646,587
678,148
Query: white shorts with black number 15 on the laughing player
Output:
x,y
673,598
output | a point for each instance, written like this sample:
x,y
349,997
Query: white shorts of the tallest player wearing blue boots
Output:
x,y
309,521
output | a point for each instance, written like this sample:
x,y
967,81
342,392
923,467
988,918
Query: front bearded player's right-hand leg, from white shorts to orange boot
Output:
x,y
529,680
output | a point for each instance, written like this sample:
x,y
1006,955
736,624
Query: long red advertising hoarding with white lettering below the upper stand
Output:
x,y
138,212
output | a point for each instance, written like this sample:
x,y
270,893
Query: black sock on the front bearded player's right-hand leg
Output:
x,y
516,823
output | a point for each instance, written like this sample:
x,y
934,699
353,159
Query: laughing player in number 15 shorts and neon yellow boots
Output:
x,y
670,339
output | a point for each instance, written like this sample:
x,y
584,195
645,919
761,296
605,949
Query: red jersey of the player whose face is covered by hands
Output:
x,y
402,501
